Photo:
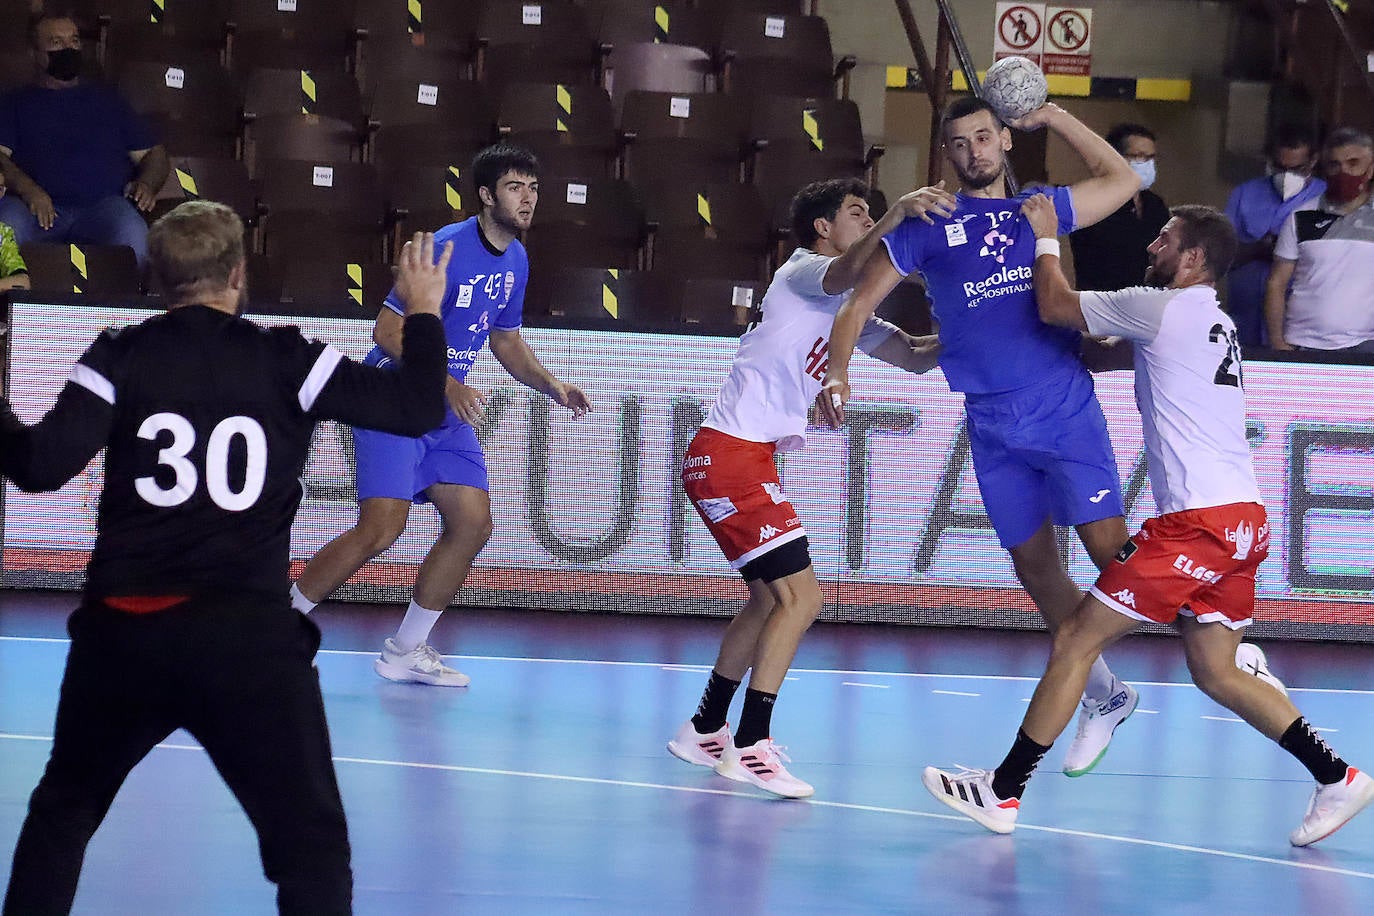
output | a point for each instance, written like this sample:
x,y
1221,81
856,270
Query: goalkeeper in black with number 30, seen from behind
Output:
x,y
207,422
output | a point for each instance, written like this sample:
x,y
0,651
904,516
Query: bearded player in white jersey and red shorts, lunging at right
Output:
x,y
1195,565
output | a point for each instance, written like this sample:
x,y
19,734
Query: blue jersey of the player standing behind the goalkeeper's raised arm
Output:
x,y
486,290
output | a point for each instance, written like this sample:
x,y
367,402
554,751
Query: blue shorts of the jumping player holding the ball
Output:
x,y
1044,453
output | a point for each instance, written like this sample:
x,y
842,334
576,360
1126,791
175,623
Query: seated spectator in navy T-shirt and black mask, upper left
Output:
x,y
79,161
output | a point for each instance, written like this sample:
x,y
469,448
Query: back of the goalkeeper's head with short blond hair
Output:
x,y
194,249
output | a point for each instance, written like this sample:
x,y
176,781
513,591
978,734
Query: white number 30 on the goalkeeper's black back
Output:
x,y
216,462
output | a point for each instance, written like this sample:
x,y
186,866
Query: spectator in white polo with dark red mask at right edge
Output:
x,y
1327,251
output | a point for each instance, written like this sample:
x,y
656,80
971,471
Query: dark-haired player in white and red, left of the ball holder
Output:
x,y
730,476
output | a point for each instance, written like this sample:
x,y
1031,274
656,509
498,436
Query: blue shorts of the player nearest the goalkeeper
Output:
x,y
402,469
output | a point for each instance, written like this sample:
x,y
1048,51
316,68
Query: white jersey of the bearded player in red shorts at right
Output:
x,y
1188,385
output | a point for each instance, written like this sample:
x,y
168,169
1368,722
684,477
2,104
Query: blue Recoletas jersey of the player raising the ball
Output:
x,y
978,271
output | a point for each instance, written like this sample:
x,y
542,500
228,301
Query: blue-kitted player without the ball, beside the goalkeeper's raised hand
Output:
x,y
484,297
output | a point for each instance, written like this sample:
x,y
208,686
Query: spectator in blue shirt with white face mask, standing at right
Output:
x,y
1259,208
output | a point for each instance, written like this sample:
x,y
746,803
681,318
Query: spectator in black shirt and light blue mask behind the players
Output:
x,y
1112,255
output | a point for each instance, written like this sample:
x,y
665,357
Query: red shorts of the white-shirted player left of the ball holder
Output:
x,y
736,490
